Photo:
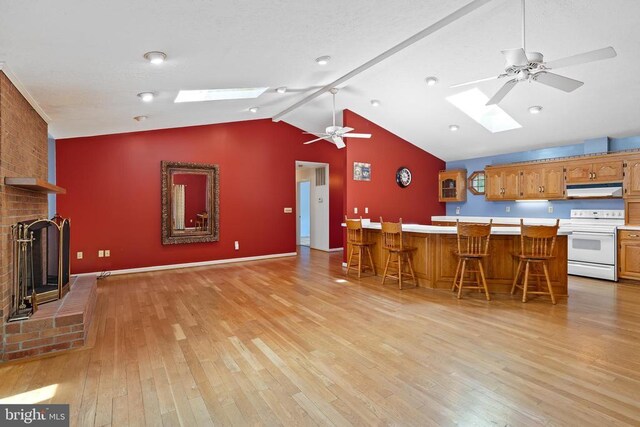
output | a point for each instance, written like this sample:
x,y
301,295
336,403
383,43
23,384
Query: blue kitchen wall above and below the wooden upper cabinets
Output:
x,y
478,206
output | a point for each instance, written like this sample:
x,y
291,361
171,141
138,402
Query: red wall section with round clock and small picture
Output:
x,y
387,152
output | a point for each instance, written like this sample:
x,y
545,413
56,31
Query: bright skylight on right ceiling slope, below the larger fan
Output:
x,y
492,117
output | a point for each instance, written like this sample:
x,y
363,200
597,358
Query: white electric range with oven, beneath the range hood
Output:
x,y
593,244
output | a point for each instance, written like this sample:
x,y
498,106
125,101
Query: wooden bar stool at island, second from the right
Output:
x,y
473,247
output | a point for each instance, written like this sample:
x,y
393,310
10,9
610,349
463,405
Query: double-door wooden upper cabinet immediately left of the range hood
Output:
x,y
542,182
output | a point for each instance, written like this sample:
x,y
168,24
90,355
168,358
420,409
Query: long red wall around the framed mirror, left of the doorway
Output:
x,y
113,191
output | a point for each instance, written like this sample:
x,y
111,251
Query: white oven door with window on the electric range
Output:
x,y
590,247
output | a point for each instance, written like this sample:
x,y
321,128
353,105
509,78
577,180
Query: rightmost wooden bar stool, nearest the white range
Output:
x,y
536,249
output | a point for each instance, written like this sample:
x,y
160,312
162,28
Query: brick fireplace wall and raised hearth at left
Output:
x,y
60,324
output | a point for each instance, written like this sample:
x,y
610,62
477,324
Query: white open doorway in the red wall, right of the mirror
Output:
x,y
312,205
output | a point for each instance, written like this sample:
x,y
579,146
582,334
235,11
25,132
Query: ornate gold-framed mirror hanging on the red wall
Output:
x,y
190,206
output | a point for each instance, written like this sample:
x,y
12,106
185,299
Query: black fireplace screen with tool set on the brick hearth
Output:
x,y
41,264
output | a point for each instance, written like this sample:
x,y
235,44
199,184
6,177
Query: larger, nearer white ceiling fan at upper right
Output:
x,y
524,66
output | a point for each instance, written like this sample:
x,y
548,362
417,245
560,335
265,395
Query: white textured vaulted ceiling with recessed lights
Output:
x,y
81,61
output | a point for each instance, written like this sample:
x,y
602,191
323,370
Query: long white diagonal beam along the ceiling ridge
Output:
x,y
463,11
